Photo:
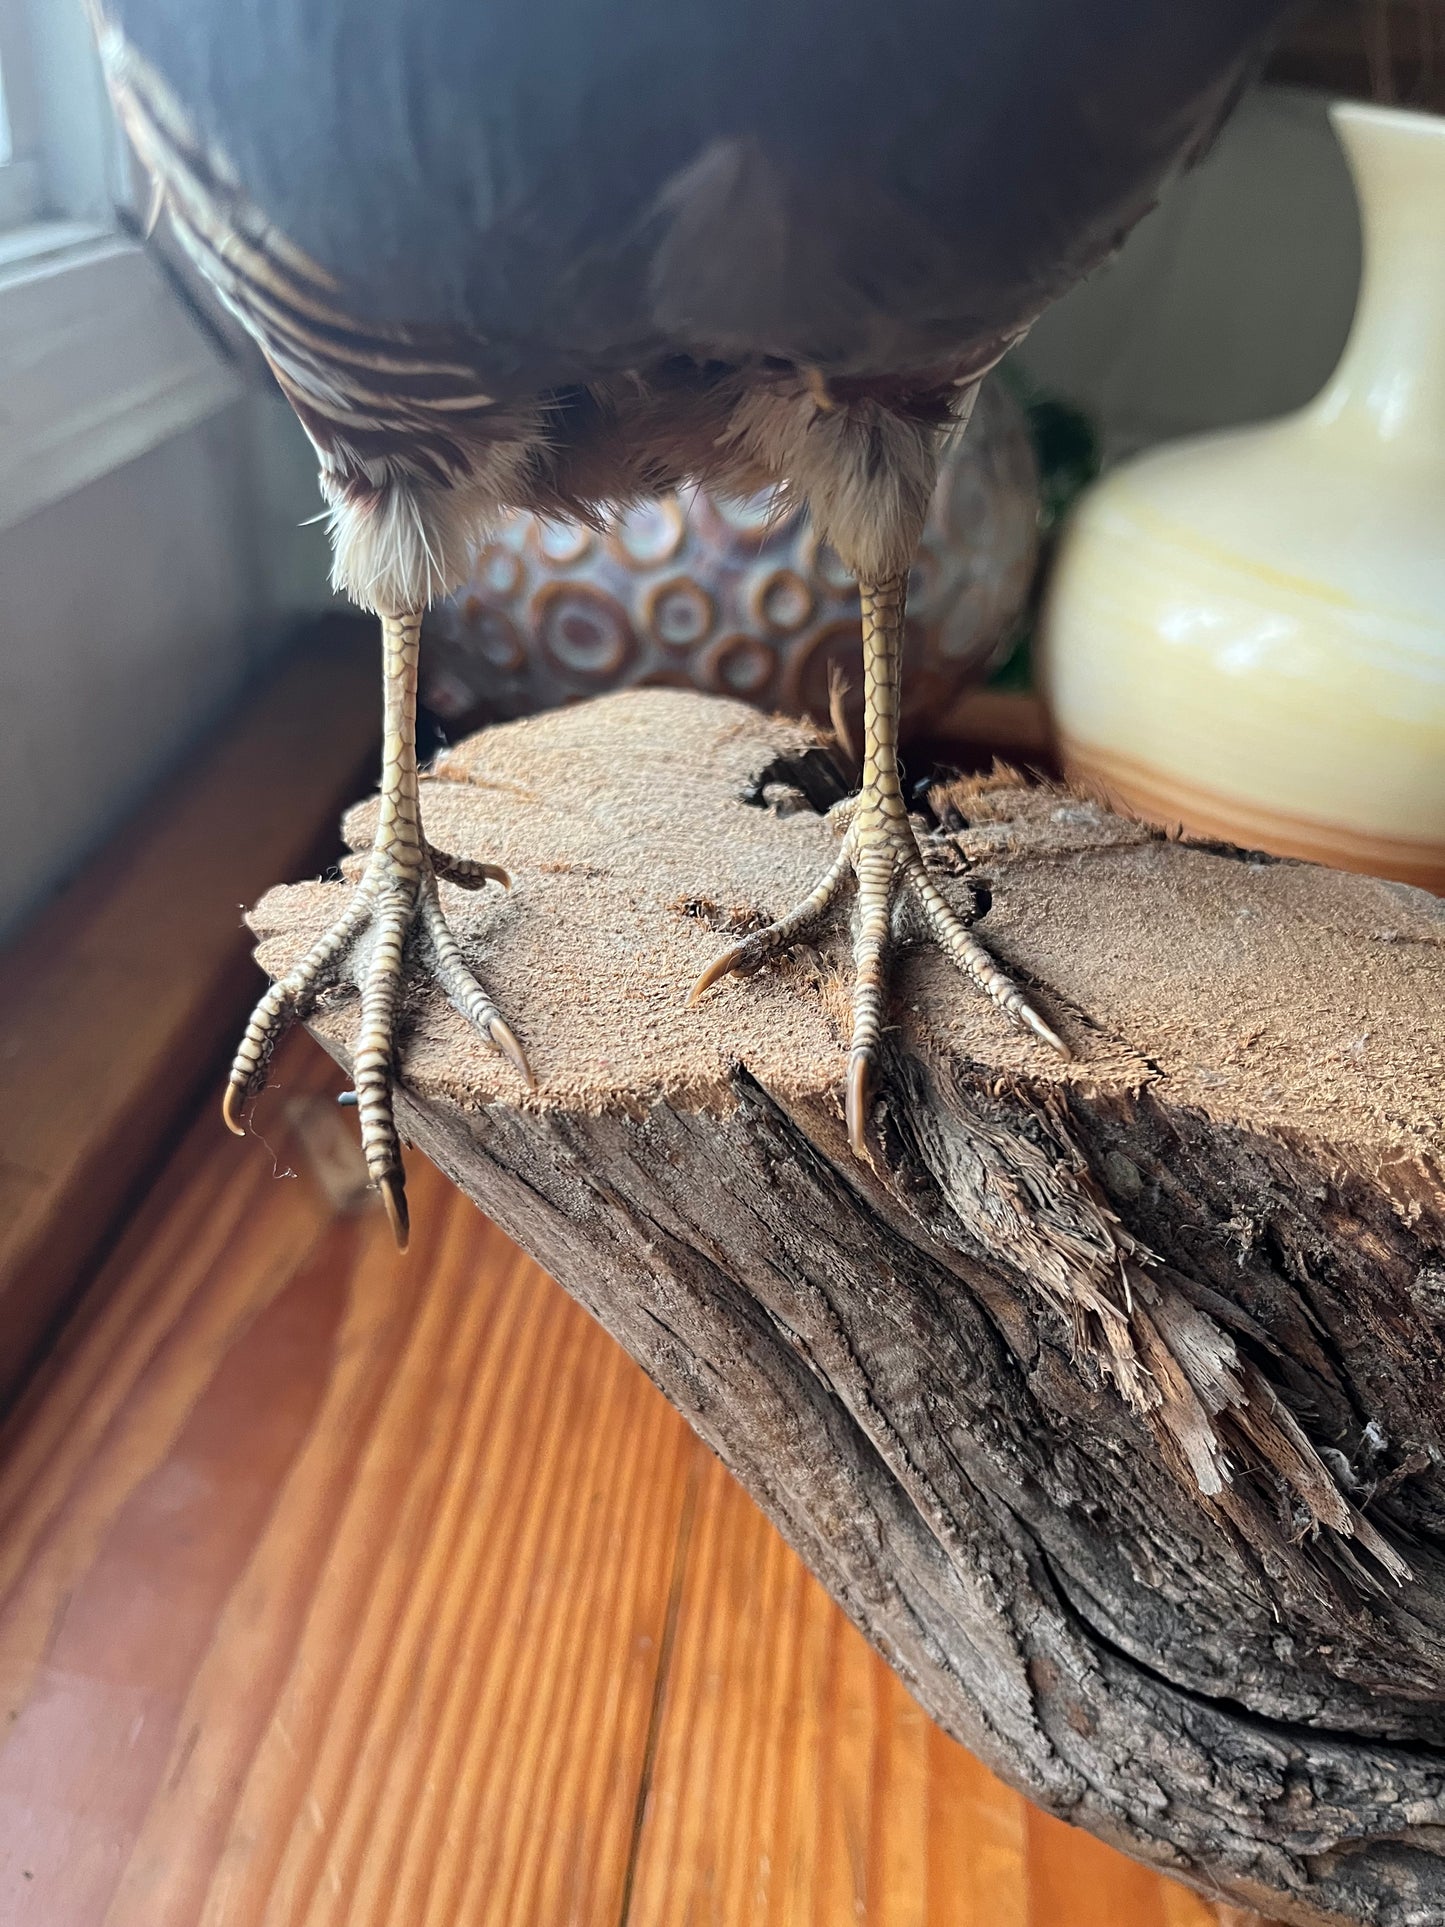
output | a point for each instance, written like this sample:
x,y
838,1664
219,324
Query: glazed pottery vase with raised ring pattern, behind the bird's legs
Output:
x,y
743,598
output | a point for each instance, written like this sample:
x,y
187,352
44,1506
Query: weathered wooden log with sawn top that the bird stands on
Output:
x,y
1111,1400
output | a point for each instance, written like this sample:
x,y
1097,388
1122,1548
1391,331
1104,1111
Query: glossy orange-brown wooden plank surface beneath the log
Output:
x,y
354,1591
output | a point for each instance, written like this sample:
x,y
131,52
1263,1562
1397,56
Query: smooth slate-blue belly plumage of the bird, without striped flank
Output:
x,y
589,186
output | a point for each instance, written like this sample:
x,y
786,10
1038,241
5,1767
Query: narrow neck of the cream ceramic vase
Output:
x,y
1392,379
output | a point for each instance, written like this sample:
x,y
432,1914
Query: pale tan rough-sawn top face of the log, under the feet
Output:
x,y
1273,995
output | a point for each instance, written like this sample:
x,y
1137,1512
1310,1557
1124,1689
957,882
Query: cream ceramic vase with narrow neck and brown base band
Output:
x,y
1246,633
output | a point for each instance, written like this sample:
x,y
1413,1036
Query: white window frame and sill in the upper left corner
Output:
x,y
99,359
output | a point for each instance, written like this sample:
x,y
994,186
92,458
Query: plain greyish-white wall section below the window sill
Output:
x,y
130,616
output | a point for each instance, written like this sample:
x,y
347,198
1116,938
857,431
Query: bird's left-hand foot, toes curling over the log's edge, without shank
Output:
x,y
394,901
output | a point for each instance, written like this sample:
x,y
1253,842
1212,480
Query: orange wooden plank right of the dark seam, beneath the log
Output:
x,y
799,1785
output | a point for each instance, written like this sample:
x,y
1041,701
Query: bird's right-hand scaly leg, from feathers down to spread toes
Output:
x,y
881,857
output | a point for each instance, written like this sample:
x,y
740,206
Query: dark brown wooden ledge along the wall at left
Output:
x,y
118,999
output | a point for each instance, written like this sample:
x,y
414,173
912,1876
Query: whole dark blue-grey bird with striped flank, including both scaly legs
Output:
x,y
562,255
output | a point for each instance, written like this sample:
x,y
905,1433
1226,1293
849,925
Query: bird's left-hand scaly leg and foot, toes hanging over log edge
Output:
x,y
394,901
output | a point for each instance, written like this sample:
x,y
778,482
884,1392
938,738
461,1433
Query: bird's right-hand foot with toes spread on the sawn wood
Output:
x,y
881,858
